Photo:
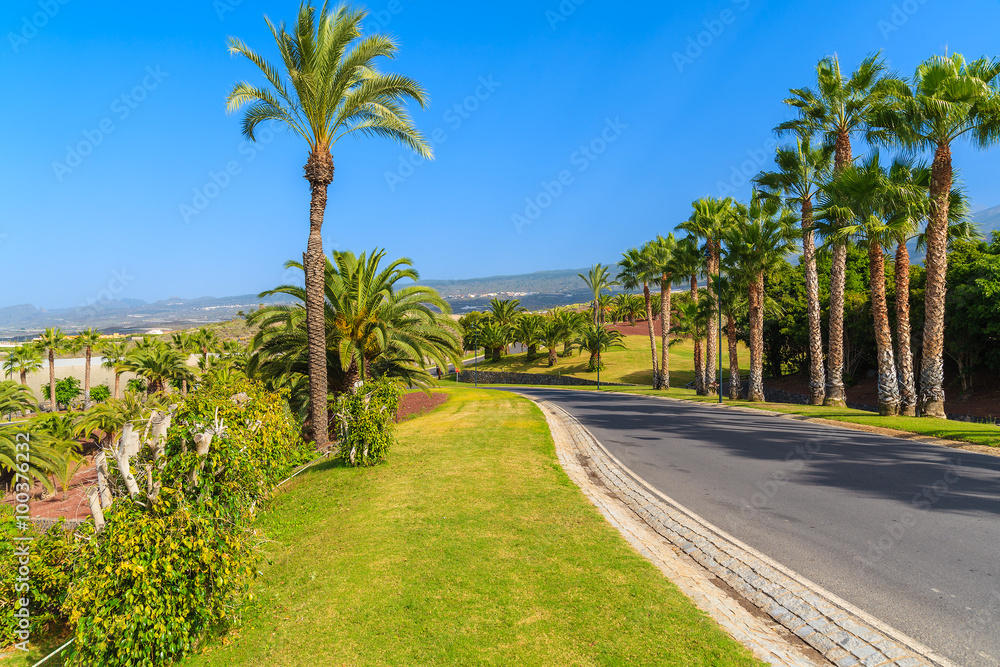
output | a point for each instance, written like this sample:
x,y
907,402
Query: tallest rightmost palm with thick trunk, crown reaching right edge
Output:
x,y
947,99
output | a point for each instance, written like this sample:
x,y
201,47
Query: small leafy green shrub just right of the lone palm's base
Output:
x,y
366,422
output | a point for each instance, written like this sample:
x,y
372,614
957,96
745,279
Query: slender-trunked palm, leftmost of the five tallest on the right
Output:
x,y
801,172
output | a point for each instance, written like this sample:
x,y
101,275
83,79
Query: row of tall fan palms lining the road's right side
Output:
x,y
818,183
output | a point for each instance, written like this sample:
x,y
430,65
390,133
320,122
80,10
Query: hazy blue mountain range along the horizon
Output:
x,y
542,289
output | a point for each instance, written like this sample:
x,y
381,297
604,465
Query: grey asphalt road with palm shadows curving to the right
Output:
x,y
908,532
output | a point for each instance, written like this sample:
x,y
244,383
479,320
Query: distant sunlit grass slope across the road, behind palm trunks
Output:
x,y
631,365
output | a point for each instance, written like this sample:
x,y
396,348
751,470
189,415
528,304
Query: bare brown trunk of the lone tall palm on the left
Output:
x,y
319,173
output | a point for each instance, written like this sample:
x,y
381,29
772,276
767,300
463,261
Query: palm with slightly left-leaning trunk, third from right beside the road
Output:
x,y
878,212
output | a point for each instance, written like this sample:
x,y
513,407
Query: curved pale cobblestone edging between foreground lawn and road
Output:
x,y
843,634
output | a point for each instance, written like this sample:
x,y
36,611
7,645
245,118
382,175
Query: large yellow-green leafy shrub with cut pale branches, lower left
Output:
x,y
165,574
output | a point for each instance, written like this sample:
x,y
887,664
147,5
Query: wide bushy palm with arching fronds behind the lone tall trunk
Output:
x,y
373,325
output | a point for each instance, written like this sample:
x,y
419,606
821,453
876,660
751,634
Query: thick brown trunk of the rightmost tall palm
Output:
x,y
932,361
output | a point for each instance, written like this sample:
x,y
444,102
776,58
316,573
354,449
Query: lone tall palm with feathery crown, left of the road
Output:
x,y
331,88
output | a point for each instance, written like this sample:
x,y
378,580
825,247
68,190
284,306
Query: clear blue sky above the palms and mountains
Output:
x,y
123,172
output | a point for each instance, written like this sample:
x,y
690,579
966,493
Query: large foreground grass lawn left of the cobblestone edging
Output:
x,y
470,546
